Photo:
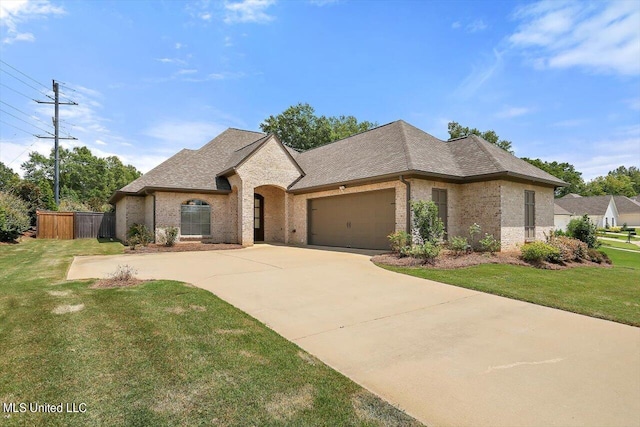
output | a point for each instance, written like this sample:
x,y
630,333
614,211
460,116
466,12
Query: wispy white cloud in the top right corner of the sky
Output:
x,y
601,37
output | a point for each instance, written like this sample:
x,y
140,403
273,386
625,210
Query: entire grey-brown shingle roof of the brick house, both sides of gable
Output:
x,y
392,149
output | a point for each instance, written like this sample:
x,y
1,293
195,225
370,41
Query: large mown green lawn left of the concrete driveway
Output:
x,y
161,353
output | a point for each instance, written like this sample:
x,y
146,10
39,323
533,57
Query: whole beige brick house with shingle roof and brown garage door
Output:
x,y
246,186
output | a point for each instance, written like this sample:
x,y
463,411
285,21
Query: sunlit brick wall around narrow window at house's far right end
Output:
x,y
512,194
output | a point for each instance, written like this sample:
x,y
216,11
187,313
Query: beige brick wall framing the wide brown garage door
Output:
x,y
297,207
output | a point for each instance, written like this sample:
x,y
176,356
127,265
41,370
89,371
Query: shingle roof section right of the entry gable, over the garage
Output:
x,y
399,148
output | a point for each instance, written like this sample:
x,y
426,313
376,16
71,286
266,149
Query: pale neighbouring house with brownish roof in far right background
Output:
x,y
604,211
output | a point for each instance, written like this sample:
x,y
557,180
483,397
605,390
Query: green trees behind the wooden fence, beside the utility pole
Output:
x,y
84,177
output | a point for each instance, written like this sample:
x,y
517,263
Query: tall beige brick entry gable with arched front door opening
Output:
x,y
270,165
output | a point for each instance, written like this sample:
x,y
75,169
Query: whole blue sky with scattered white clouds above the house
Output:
x,y
559,79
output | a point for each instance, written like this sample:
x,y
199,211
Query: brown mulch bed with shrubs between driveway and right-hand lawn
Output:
x,y
449,260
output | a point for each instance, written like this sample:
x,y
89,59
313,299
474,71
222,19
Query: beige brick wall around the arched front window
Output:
x,y
168,212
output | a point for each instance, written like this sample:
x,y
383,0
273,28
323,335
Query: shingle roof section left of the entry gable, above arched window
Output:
x,y
196,169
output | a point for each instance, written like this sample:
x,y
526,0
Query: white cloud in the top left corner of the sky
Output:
x,y
15,12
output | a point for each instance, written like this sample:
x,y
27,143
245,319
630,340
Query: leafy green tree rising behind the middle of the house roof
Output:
x,y
299,127
